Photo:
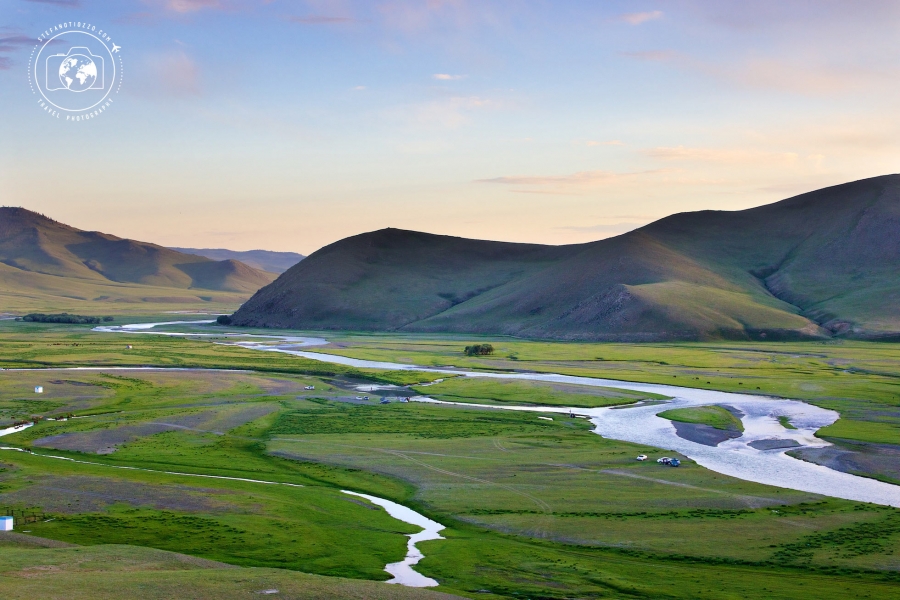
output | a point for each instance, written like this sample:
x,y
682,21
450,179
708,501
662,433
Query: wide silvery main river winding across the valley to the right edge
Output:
x,y
640,424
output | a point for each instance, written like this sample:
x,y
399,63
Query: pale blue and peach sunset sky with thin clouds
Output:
x,y
288,125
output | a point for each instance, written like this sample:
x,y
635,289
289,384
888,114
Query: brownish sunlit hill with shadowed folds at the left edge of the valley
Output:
x,y
44,263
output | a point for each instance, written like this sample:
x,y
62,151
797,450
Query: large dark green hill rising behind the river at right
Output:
x,y
820,264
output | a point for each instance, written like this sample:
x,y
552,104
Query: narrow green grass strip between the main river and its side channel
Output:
x,y
529,393
